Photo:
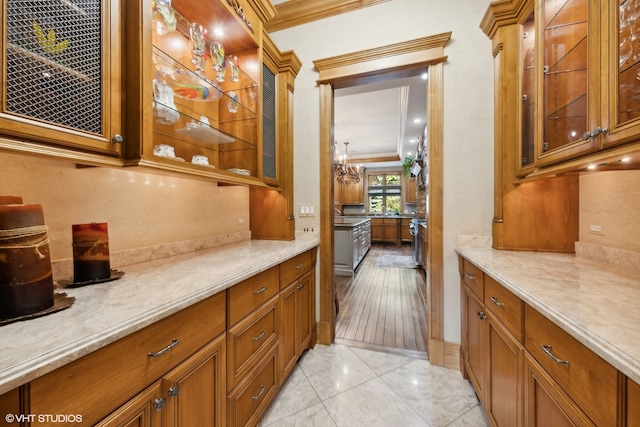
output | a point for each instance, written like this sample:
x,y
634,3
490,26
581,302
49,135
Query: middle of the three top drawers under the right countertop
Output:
x,y
505,306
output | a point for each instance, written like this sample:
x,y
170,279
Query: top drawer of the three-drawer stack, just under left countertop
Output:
x,y
246,296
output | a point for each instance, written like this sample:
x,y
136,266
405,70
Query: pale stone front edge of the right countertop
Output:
x,y
604,348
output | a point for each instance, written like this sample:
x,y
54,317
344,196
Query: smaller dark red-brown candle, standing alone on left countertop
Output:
x,y
90,252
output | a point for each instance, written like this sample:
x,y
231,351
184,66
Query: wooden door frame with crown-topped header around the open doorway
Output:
x,y
387,62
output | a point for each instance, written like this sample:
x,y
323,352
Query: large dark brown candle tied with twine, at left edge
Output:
x,y
26,285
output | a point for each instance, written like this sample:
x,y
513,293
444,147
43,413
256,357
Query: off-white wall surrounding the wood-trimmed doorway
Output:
x,y
468,110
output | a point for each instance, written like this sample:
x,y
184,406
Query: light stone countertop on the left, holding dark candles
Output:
x,y
148,292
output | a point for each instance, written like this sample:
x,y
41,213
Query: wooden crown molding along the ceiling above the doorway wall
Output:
x,y
298,12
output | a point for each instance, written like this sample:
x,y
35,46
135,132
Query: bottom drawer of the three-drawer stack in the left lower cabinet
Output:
x,y
252,396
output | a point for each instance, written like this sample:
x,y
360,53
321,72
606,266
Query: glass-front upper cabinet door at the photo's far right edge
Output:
x,y
623,85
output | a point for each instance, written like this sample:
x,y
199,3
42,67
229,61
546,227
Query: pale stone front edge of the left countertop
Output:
x,y
41,364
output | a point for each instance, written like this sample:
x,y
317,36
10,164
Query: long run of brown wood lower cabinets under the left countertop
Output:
x,y
218,362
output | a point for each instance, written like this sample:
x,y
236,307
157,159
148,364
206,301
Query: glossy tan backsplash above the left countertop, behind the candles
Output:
x,y
144,210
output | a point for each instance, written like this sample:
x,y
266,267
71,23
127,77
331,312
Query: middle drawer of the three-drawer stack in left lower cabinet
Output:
x,y
249,340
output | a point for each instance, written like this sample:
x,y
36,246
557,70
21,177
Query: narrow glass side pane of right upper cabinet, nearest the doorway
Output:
x,y
527,49
